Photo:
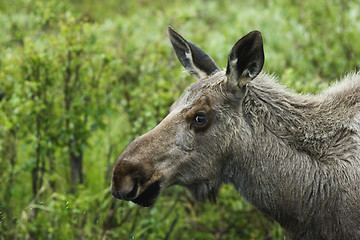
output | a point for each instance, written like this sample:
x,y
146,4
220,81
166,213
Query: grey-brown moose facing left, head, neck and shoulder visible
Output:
x,y
295,157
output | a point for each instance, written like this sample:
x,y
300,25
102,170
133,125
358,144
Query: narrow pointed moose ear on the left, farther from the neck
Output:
x,y
195,60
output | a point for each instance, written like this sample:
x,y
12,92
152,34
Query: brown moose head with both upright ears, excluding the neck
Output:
x,y
194,144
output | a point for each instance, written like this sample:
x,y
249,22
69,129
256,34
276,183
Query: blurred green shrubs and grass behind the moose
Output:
x,y
80,79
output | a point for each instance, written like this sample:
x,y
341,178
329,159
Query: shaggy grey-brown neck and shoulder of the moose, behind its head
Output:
x,y
301,161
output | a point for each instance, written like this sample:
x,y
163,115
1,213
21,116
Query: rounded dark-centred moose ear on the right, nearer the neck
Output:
x,y
245,60
